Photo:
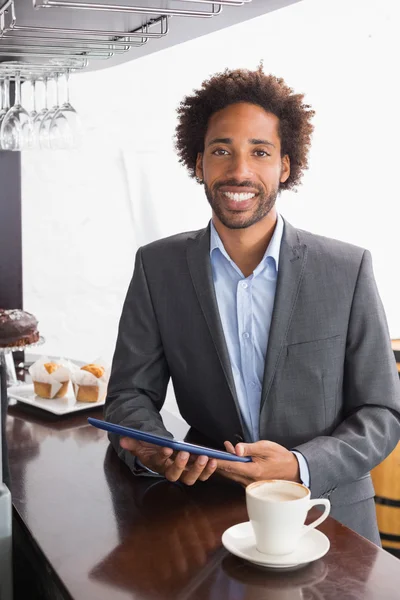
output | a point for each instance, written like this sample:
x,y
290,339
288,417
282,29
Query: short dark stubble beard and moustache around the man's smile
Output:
x,y
241,219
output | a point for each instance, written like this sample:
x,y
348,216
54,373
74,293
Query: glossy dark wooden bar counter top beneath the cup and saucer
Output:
x,y
92,531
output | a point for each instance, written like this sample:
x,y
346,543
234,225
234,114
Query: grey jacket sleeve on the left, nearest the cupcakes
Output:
x,y
139,373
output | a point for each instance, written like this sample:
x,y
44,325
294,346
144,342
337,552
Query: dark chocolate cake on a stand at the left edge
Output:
x,y
17,328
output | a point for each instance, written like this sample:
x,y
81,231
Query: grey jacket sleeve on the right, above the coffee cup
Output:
x,y
371,396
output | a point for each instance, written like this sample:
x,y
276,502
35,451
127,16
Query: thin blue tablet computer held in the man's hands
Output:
x,y
165,442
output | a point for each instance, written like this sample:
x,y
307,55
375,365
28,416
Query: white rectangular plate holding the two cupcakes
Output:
x,y
59,406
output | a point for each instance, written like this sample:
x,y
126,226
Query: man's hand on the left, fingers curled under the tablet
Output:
x,y
183,467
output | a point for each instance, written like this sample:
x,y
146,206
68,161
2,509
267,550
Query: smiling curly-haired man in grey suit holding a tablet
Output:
x,y
275,339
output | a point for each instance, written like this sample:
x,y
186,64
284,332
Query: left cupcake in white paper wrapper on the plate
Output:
x,y
50,378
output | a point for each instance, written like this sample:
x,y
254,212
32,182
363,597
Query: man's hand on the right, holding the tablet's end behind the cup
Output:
x,y
269,461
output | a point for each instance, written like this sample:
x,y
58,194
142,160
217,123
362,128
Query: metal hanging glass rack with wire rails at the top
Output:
x,y
33,43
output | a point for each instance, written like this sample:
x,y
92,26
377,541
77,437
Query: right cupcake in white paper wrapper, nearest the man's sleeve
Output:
x,y
90,383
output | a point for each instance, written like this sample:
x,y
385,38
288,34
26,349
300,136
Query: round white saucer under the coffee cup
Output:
x,y
240,540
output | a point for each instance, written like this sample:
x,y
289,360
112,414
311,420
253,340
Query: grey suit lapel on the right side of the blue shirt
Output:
x,y
292,262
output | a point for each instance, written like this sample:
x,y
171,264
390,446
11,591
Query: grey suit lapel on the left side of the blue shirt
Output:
x,y
198,257
